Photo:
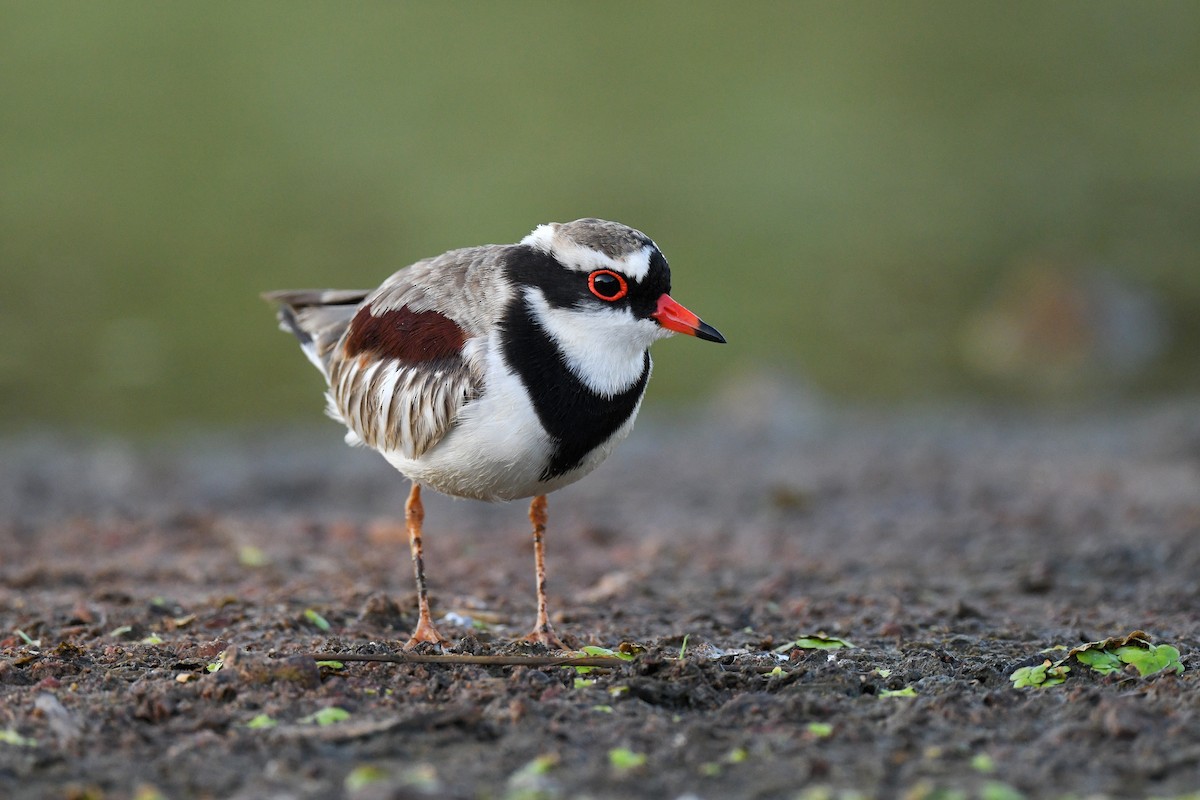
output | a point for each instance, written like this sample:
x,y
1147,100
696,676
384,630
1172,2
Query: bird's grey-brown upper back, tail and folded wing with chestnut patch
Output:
x,y
403,362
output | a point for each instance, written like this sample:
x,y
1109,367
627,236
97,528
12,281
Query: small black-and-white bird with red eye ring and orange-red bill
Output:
x,y
497,372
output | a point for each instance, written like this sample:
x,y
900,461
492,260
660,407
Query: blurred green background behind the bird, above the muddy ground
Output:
x,y
891,202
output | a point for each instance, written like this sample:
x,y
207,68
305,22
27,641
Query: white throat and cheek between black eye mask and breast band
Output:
x,y
605,347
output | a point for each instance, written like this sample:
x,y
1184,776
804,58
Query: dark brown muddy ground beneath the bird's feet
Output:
x,y
950,548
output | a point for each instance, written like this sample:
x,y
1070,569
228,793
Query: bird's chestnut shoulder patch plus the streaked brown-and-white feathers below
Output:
x,y
401,381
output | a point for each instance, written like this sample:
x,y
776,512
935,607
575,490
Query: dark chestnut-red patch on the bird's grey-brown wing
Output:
x,y
405,335
